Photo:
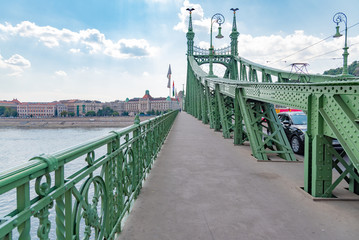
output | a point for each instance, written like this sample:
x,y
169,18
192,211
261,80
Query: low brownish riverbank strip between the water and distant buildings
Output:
x,y
73,122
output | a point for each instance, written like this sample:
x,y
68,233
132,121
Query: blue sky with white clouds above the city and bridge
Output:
x,y
53,50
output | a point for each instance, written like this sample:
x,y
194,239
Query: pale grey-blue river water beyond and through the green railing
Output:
x,y
17,146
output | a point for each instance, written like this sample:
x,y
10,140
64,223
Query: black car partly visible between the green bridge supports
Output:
x,y
295,125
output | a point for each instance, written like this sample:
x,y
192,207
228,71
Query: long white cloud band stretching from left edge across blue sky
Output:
x,y
90,41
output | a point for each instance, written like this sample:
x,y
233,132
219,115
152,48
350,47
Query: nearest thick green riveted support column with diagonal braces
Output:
x,y
321,158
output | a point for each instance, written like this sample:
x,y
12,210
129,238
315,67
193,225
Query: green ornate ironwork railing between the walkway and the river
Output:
x,y
92,202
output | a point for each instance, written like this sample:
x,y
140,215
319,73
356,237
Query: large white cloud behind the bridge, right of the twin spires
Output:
x,y
275,50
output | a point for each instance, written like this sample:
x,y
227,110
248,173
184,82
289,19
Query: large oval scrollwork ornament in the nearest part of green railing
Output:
x,y
91,210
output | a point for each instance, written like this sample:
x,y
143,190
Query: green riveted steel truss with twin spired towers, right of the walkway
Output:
x,y
241,105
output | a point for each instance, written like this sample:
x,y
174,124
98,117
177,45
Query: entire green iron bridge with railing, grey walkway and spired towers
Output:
x,y
205,187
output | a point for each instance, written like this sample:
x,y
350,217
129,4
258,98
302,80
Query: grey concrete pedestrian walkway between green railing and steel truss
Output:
x,y
204,187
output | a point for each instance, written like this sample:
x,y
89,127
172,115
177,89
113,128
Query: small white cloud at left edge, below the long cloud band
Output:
x,y
15,65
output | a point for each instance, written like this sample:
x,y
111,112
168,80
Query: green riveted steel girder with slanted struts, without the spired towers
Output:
x,y
331,104
